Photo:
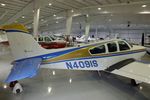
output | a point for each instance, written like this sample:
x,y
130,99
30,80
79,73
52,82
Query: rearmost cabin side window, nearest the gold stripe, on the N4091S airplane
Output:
x,y
98,49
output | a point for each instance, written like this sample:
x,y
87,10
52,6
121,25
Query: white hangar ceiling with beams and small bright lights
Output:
x,y
104,12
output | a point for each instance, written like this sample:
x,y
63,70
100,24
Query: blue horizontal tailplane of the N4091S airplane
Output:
x,y
24,69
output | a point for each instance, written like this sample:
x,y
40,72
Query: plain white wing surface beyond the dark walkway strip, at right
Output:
x,y
135,70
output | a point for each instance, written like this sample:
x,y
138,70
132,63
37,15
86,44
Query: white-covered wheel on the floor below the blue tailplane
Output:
x,y
16,87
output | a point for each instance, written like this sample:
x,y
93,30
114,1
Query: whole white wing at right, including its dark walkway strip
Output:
x,y
132,69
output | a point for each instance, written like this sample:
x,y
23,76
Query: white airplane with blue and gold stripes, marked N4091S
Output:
x,y
115,56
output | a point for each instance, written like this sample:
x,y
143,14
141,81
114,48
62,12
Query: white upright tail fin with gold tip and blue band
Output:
x,y
21,43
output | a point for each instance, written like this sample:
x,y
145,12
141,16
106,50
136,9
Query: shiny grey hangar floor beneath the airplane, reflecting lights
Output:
x,y
78,85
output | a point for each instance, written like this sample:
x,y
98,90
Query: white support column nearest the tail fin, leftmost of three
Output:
x,y
36,19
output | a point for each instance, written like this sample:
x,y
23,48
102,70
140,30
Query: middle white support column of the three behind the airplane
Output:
x,y
68,23
